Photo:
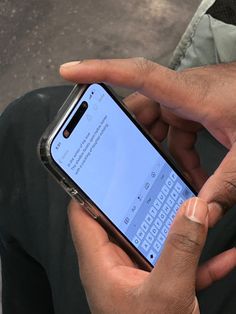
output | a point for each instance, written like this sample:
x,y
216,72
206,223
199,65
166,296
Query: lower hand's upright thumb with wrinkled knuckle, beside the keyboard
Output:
x,y
183,247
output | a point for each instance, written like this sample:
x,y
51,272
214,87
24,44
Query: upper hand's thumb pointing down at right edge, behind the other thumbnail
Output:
x,y
220,189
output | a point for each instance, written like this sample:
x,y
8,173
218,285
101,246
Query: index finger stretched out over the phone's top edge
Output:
x,y
149,78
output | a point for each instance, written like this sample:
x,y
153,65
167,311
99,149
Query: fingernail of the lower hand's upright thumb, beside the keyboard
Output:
x,y
196,210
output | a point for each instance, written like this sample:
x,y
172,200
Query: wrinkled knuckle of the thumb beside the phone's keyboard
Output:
x,y
184,243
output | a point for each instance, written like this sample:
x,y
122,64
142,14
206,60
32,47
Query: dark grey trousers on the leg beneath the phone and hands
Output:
x,y
39,266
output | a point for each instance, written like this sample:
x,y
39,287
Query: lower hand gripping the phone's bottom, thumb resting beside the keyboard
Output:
x,y
113,283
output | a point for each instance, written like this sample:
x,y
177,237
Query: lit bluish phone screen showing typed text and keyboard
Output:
x,y
121,171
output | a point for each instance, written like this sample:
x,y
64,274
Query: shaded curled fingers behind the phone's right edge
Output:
x,y
162,124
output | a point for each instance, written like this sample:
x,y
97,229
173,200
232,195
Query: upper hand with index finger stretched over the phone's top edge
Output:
x,y
204,95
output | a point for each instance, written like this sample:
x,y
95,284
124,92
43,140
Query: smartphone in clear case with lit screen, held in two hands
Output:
x,y
101,156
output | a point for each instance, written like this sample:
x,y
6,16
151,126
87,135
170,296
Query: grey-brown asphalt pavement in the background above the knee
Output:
x,y
37,36
